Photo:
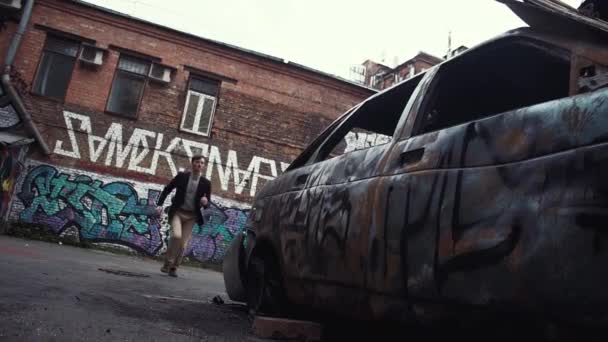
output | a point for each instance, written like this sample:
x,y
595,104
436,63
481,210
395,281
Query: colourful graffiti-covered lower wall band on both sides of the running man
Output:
x,y
117,211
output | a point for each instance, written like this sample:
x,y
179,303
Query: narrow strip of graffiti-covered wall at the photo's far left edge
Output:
x,y
10,167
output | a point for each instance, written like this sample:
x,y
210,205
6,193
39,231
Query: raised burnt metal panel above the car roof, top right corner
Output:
x,y
555,16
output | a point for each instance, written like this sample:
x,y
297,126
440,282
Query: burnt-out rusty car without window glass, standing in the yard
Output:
x,y
481,182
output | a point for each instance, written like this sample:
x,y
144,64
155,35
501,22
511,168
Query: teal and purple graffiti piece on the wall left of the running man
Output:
x,y
106,213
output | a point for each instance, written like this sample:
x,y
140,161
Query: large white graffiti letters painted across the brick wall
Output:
x,y
132,154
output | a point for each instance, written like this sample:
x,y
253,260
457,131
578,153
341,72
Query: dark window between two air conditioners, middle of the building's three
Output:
x,y
128,85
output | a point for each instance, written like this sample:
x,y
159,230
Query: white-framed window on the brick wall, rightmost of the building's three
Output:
x,y
200,106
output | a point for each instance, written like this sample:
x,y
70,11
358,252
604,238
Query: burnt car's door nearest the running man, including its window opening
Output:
x,y
334,210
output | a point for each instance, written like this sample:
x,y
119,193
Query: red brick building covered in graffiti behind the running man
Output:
x,y
118,105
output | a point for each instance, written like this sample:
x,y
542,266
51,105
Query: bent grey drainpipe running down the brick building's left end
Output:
x,y
6,78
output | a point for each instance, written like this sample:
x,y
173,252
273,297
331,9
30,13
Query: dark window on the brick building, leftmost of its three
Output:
x,y
56,66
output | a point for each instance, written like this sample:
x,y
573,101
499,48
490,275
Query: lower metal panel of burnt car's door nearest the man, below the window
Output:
x,y
323,229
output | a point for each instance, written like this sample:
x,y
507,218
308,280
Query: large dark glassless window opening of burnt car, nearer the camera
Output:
x,y
507,75
